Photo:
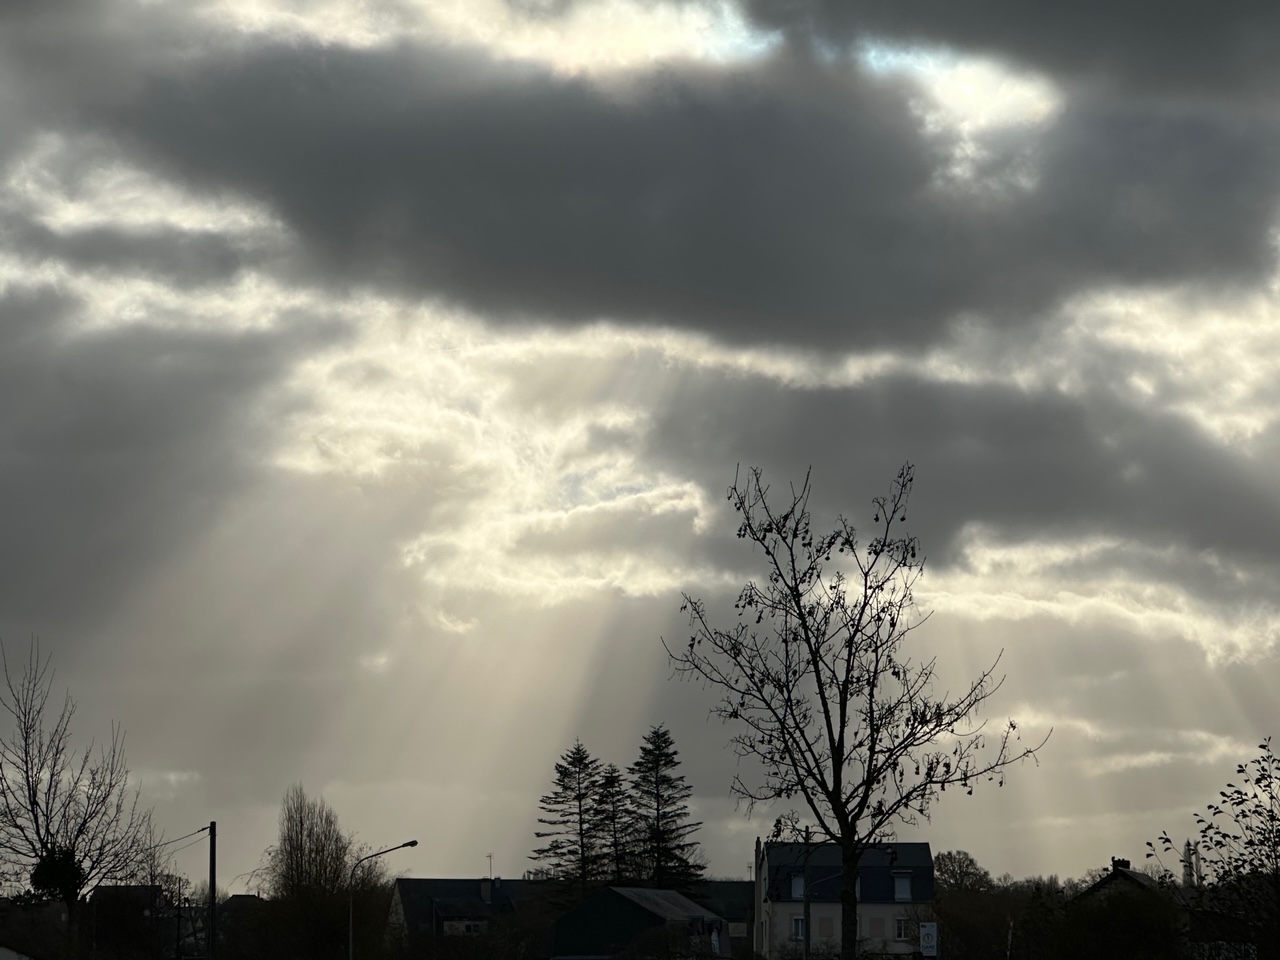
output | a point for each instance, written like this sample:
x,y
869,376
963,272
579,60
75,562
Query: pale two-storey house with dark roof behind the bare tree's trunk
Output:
x,y
895,895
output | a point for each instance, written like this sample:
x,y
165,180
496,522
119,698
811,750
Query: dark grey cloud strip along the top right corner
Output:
x,y
1171,48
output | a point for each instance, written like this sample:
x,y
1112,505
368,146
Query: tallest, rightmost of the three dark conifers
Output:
x,y
662,816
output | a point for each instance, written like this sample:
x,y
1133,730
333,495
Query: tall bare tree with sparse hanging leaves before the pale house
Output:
x,y
816,675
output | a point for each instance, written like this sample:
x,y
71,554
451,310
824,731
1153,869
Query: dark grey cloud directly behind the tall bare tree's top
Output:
x,y
1031,467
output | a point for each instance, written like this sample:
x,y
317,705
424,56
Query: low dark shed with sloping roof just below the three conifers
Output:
x,y
641,921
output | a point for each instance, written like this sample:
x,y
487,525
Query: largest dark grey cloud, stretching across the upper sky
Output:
x,y
780,202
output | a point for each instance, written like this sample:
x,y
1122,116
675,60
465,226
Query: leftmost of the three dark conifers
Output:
x,y
574,852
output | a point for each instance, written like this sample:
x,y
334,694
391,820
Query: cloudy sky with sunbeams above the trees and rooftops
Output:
x,y
373,372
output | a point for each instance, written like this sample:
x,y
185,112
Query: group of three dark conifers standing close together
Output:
x,y
607,826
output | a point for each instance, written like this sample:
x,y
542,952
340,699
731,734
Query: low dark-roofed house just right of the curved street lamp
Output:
x,y
426,912
